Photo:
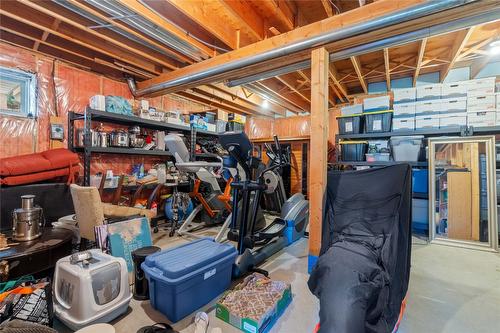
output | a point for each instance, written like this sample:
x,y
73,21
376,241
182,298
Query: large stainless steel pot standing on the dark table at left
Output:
x,y
27,221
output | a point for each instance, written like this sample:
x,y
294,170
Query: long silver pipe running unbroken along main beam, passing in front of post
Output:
x,y
404,15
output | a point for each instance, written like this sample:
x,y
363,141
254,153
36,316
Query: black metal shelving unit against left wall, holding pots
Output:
x,y
91,115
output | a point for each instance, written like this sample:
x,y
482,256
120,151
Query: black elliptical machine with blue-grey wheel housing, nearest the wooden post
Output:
x,y
255,244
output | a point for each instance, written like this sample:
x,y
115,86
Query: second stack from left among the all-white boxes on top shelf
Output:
x,y
428,106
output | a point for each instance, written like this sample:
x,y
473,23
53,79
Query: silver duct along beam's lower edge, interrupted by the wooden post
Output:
x,y
397,40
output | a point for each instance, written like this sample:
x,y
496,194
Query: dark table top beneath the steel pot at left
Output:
x,y
51,238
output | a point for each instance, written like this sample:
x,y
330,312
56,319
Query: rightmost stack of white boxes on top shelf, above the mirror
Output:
x,y
481,103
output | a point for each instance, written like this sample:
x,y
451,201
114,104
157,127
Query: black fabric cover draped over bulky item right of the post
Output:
x,y
362,274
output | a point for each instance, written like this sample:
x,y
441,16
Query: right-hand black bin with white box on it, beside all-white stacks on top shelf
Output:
x,y
378,114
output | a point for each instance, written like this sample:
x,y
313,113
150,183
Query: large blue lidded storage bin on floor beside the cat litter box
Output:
x,y
185,278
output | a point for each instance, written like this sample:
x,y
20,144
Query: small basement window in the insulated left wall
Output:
x,y
17,93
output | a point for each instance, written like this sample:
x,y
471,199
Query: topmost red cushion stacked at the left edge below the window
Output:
x,y
24,164
